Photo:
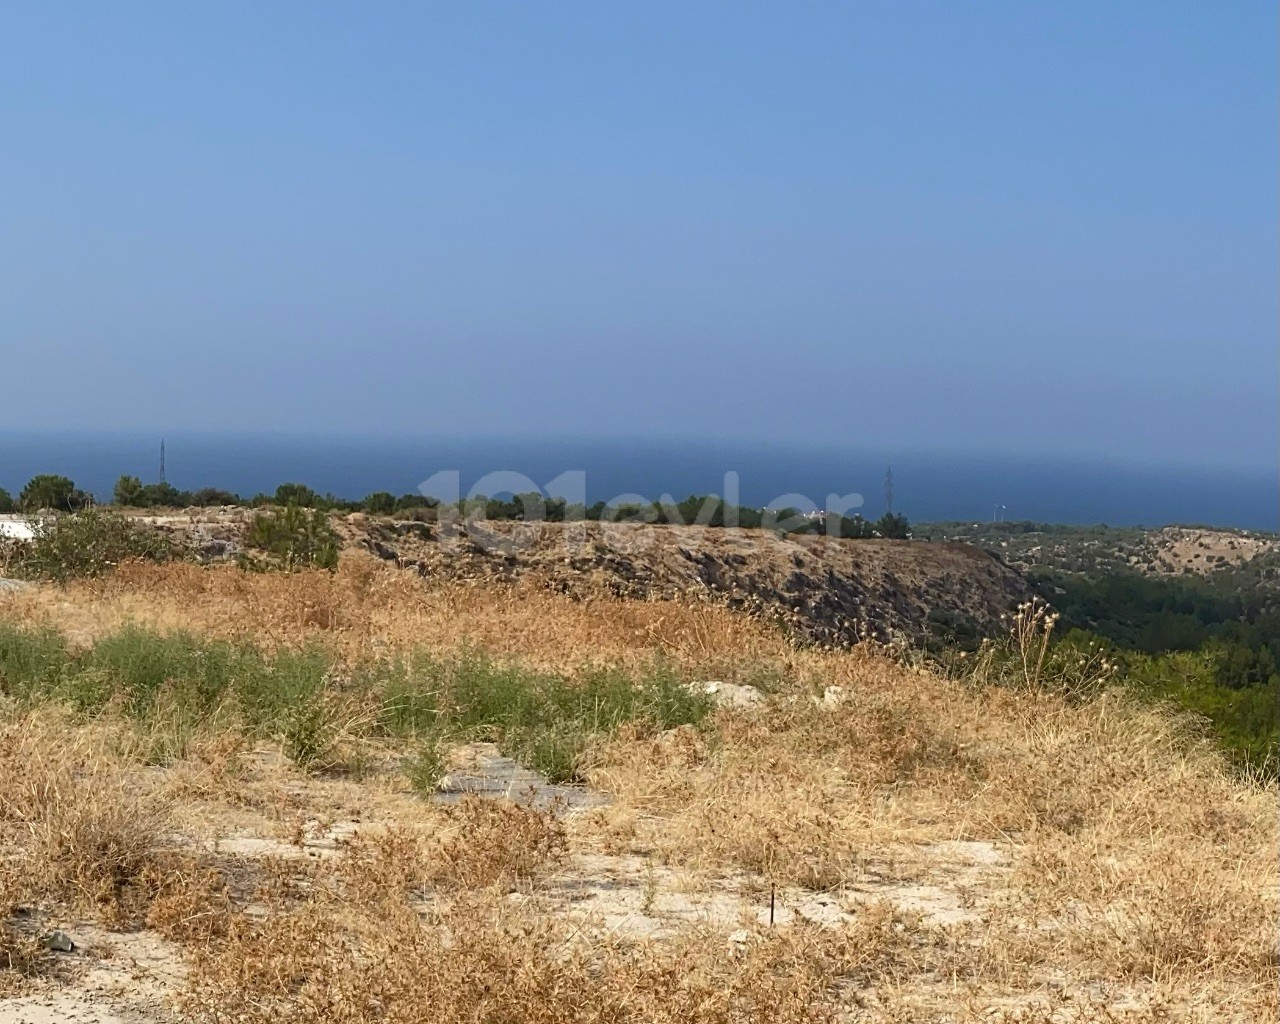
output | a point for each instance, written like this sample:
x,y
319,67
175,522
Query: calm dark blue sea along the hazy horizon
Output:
x,y
926,487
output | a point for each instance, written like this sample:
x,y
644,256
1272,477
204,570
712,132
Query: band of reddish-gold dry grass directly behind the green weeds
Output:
x,y
368,610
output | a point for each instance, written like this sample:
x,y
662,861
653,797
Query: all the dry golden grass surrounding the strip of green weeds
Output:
x,y
1132,876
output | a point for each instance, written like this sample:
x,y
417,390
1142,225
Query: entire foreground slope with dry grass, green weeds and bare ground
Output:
x,y
353,797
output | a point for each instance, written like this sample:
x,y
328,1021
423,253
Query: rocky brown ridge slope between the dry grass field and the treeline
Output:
x,y
835,592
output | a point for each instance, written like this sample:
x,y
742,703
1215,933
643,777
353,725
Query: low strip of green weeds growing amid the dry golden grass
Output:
x,y
173,684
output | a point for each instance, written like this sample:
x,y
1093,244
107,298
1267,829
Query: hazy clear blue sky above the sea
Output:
x,y
1031,227
